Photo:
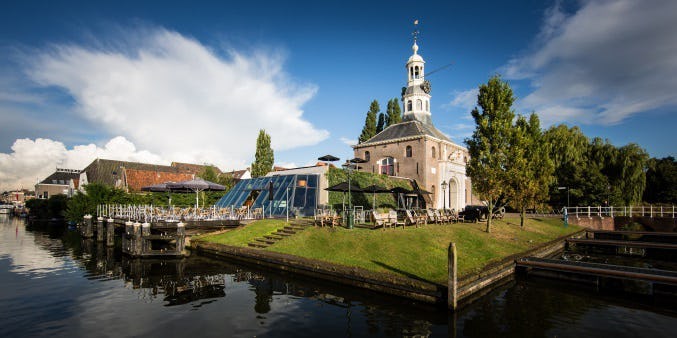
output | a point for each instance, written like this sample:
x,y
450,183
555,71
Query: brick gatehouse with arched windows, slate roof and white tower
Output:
x,y
417,150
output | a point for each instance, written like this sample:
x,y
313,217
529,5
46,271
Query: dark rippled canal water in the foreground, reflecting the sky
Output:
x,y
55,284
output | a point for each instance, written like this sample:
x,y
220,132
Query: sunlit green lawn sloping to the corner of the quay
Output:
x,y
417,253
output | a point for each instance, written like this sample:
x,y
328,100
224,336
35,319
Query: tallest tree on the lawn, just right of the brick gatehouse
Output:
x,y
489,144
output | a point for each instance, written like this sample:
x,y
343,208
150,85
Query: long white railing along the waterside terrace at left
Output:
x,y
150,213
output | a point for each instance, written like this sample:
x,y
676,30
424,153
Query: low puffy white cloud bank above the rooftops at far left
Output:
x,y
33,160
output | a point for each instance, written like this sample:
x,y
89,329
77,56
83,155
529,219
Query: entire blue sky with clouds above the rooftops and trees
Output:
x,y
163,81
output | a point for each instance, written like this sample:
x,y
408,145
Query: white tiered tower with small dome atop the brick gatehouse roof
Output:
x,y
416,96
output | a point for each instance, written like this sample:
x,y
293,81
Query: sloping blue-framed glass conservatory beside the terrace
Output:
x,y
299,193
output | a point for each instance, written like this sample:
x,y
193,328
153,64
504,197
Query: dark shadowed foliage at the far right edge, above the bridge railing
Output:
x,y
661,181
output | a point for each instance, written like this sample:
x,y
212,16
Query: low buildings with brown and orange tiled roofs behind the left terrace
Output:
x,y
132,176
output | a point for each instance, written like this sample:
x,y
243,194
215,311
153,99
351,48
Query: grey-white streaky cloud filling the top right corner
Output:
x,y
603,63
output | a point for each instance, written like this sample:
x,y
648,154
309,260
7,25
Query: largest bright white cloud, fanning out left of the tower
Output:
x,y
178,99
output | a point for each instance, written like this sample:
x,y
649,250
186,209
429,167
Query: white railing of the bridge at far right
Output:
x,y
628,211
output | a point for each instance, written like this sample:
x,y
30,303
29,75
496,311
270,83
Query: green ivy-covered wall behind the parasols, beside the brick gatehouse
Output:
x,y
364,179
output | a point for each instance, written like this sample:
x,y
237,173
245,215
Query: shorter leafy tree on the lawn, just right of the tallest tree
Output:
x,y
530,170
